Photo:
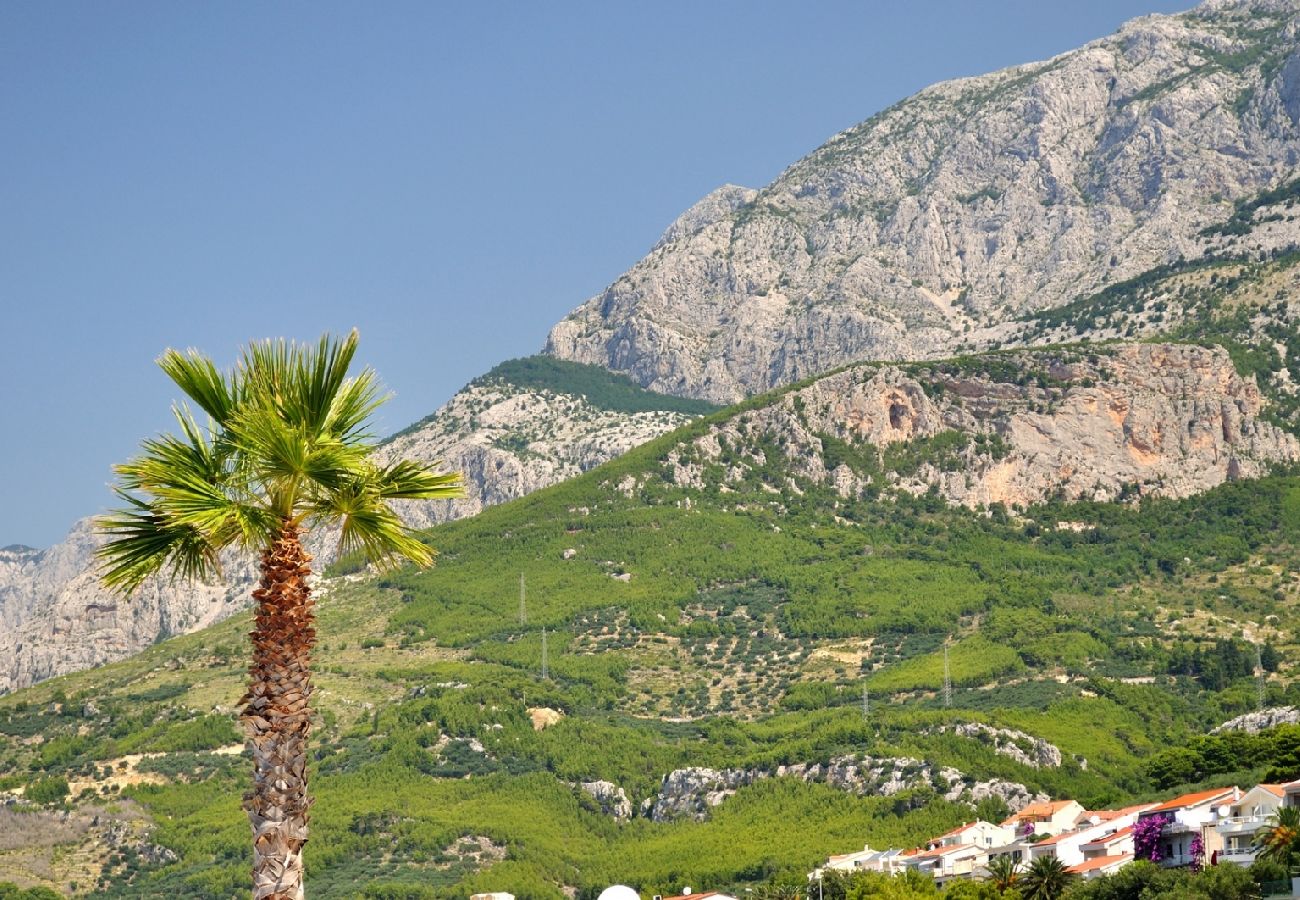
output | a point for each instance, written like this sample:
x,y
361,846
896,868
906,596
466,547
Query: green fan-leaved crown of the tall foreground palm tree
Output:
x,y
285,443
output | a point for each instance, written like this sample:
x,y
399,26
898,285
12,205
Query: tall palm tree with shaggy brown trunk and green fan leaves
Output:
x,y
285,449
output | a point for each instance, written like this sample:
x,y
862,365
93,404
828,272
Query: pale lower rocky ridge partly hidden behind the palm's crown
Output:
x,y
508,442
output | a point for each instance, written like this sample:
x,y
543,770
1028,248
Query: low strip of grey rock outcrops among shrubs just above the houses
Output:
x,y
692,793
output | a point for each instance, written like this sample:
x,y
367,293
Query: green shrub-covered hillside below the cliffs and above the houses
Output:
x,y
726,625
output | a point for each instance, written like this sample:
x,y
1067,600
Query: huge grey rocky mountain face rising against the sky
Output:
x,y
942,219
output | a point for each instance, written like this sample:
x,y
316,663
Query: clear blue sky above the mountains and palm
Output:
x,y
450,179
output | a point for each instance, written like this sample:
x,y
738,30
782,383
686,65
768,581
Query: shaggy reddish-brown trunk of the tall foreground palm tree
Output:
x,y
278,719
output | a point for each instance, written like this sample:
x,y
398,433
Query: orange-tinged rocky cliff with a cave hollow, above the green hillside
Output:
x,y
1016,429
